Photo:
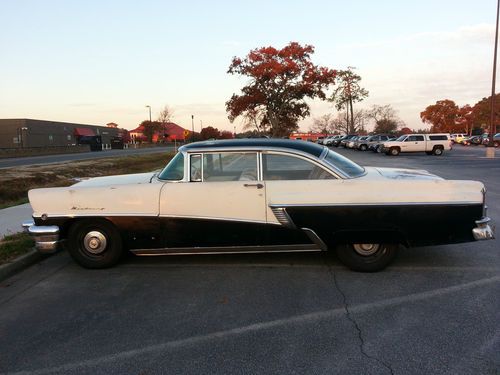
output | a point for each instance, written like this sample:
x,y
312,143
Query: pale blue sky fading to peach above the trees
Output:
x,y
94,62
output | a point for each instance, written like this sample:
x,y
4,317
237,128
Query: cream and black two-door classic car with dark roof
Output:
x,y
258,195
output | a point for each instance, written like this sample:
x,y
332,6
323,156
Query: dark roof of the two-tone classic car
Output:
x,y
308,147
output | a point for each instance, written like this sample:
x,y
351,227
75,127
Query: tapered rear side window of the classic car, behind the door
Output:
x,y
284,167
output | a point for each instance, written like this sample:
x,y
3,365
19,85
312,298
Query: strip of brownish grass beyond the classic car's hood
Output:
x,y
15,182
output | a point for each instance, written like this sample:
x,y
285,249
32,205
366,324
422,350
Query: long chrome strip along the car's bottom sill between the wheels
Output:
x,y
226,250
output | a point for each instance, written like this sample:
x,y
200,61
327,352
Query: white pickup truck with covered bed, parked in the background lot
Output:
x,y
429,143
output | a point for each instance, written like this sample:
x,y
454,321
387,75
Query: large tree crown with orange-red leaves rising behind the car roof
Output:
x,y
280,80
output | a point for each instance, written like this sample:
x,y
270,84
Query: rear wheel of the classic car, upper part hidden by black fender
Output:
x,y
367,257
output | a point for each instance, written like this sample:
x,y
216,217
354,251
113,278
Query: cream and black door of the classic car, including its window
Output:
x,y
220,203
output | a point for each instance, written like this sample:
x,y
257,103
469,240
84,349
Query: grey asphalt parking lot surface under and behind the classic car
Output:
x,y
436,310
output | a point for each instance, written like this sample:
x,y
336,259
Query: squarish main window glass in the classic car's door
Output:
x,y
230,166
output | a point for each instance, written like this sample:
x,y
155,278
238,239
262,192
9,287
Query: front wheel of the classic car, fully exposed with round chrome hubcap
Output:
x,y
94,243
